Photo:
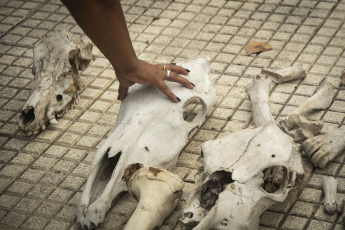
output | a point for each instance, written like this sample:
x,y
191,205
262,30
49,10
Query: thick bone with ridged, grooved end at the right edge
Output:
x,y
323,149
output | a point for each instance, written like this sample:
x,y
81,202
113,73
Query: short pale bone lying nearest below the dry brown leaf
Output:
x,y
286,74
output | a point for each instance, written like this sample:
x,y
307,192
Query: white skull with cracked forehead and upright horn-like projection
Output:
x,y
245,172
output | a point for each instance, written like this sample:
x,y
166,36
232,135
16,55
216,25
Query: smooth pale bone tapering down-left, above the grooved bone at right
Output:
x,y
322,99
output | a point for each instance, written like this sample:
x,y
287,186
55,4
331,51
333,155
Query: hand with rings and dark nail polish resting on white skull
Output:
x,y
149,74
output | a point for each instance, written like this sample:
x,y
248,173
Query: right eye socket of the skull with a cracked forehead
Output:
x,y
275,178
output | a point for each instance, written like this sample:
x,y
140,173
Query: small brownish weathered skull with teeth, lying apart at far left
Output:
x,y
58,59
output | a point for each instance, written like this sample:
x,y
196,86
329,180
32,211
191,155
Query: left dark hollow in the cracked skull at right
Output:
x,y
213,187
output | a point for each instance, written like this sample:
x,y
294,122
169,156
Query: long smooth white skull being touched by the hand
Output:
x,y
149,130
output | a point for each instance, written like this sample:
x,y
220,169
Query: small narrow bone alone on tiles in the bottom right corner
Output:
x,y
329,187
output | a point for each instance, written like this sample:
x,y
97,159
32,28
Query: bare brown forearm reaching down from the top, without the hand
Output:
x,y
104,23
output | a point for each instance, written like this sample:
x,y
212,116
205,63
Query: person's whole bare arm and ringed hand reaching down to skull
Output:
x,y
104,23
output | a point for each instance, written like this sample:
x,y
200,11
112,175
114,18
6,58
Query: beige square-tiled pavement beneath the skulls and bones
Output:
x,y
42,176
